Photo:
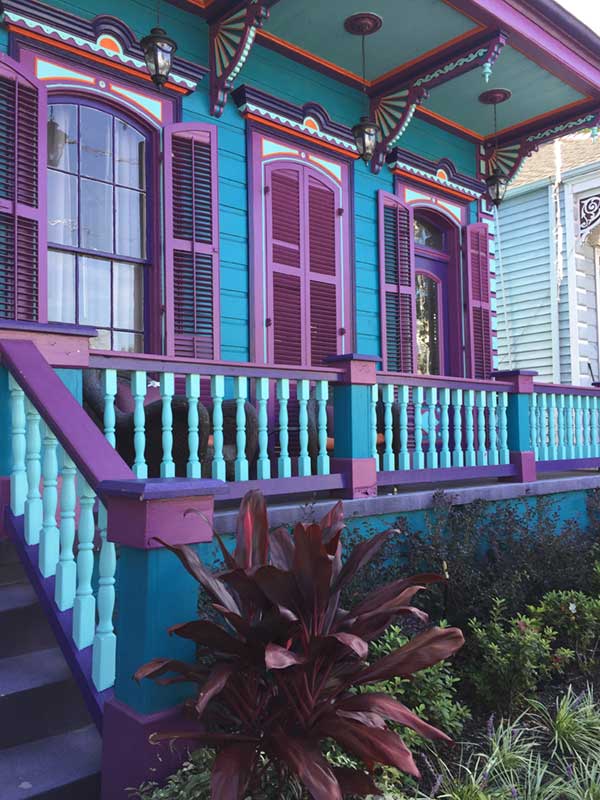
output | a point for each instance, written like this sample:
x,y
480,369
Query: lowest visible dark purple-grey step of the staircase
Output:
x,y
64,767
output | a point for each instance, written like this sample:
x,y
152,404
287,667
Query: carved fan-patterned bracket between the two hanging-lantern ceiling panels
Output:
x,y
394,109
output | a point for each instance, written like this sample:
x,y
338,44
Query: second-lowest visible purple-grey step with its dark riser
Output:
x,y
38,698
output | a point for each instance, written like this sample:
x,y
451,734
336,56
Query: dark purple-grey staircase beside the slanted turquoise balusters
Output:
x,y
49,747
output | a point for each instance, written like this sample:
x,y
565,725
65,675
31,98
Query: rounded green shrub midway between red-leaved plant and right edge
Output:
x,y
509,658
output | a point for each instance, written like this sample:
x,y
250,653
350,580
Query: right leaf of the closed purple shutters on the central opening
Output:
x,y
323,259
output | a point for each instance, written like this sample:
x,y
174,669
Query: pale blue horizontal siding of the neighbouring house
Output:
x,y
523,283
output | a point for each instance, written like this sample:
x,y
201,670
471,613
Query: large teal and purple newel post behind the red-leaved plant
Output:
x,y
154,592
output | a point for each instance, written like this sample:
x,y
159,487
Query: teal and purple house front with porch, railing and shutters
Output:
x,y
204,289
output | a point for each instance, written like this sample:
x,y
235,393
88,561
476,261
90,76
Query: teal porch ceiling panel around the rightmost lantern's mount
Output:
x,y
535,91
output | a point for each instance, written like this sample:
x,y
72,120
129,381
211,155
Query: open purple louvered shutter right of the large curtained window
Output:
x,y
191,241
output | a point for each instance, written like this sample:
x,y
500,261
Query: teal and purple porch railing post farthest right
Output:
x,y
520,442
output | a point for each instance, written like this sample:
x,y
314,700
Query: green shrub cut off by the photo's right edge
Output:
x,y
575,617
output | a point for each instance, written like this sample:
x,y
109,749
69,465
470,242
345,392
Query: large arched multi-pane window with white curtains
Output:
x,y
98,243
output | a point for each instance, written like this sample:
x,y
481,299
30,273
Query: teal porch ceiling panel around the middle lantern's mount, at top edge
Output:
x,y
410,28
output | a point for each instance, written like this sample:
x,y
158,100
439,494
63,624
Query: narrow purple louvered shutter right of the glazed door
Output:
x,y
476,242
